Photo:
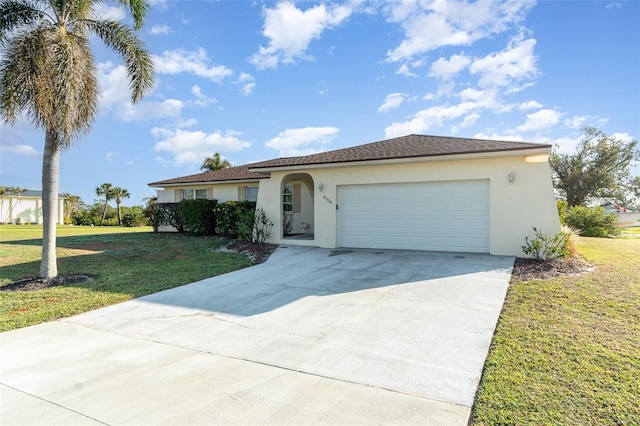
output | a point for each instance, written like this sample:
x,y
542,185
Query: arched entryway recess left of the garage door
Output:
x,y
296,206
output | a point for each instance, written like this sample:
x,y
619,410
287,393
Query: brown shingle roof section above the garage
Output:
x,y
411,146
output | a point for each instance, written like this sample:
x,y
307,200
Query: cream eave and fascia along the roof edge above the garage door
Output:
x,y
515,152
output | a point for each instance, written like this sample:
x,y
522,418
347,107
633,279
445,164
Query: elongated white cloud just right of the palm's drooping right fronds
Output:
x,y
192,62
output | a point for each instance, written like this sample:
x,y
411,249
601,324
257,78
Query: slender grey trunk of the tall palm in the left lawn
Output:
x,y
50,178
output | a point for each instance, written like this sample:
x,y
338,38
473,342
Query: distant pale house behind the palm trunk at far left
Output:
x,y
25,207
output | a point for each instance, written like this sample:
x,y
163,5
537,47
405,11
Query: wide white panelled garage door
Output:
x,y
439,216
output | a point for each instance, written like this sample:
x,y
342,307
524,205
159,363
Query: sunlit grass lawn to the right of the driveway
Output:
x,y
567,350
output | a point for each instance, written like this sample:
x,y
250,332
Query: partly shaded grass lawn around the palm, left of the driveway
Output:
x,y
124,262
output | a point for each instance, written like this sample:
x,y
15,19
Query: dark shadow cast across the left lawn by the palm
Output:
x,y
134,264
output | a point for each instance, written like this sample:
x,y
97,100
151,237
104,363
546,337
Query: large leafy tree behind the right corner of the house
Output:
x,y
600,168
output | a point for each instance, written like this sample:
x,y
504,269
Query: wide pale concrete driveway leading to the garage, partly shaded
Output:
x,y
313,336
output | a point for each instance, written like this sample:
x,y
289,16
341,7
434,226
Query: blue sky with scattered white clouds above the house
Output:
x,y
260,80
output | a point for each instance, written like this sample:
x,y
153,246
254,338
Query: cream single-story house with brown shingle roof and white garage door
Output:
x,y
413,192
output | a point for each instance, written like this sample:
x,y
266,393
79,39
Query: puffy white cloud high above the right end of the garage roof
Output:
x,y
509,67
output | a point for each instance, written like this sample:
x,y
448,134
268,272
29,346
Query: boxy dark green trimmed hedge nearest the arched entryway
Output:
x,y
235,219
